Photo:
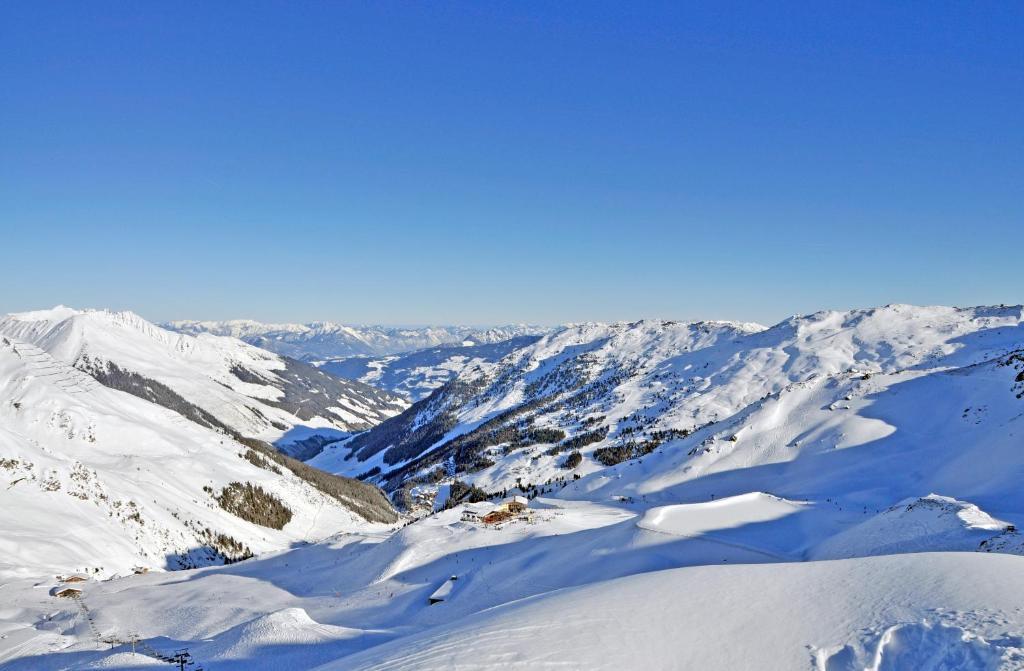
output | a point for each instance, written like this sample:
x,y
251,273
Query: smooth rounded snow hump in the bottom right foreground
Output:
x,y
926,612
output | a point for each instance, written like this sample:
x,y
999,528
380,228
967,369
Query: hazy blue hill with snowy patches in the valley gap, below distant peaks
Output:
x,y
415,375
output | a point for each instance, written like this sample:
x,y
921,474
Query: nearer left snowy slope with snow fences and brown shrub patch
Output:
x,y
100,482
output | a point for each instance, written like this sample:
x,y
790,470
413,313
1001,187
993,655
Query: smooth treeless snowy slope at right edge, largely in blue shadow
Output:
x,y
861,445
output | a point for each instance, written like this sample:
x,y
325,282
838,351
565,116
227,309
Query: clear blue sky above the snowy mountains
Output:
x,y
492,162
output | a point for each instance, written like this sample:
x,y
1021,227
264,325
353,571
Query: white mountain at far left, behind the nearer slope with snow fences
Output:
x,y
217,382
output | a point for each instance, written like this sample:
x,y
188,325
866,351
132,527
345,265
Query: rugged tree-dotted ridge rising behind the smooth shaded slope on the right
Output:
x,y
621,391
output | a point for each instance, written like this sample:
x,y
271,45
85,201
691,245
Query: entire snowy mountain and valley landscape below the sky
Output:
x,y
839,491
